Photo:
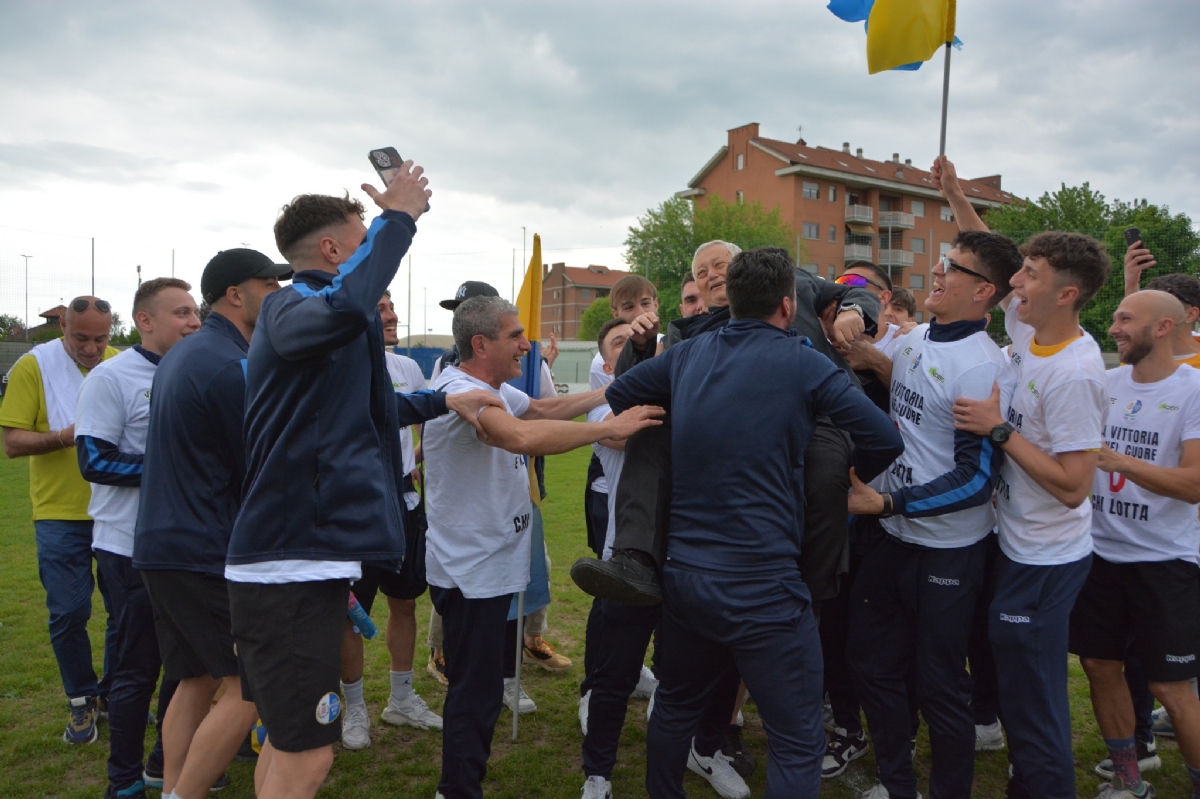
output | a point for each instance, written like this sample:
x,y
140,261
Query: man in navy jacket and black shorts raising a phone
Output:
x,y
323,454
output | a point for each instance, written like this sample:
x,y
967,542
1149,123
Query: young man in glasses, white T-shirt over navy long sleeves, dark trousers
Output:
x,y
917,590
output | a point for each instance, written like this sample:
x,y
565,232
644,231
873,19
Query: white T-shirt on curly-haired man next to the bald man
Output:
x,y
1059,405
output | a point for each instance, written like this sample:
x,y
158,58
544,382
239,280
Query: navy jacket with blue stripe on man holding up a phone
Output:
x,y
323,459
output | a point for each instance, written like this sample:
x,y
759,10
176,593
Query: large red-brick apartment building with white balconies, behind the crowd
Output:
x,y
843,207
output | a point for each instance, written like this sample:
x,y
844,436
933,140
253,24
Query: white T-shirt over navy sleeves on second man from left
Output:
x,y
115,406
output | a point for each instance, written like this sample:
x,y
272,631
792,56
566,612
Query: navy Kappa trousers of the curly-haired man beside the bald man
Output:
x,y
1029,627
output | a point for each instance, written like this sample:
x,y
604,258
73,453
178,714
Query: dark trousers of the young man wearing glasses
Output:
x,y
911,610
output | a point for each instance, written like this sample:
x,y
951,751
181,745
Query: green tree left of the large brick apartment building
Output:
x,y
662,244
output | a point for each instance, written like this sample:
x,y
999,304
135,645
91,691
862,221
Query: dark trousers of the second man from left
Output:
x,y
136,669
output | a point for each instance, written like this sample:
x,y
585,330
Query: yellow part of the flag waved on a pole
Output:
x,y
907,32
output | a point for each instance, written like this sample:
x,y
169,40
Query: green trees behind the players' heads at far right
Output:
x,y
1081,209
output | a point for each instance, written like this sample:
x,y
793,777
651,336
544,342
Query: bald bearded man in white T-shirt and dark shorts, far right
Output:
x,y
1145,570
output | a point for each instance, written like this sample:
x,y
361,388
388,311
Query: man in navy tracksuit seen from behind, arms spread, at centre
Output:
x,y
733,587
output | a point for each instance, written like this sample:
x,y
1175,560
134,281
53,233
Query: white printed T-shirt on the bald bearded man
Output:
x,y
1148,422
